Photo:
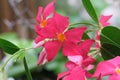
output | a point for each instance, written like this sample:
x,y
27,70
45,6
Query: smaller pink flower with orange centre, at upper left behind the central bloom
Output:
x,y
44,21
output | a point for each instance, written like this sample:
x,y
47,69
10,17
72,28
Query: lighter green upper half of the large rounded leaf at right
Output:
x,y
110,35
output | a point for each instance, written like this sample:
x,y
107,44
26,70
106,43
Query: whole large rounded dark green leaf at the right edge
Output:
x,y
110,42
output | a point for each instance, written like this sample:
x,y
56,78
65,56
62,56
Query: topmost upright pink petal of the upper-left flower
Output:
x,y
48,9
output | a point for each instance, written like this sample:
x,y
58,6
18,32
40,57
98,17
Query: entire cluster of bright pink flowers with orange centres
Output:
x,y
53,34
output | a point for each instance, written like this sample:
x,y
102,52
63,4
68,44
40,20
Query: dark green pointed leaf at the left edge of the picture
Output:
x,y
8,47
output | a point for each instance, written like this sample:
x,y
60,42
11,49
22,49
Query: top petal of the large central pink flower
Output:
x,y
62,22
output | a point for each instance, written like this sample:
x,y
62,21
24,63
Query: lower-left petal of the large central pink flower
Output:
x,y
52,49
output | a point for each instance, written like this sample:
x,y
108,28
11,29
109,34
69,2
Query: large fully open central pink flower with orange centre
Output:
x,y
60,36
